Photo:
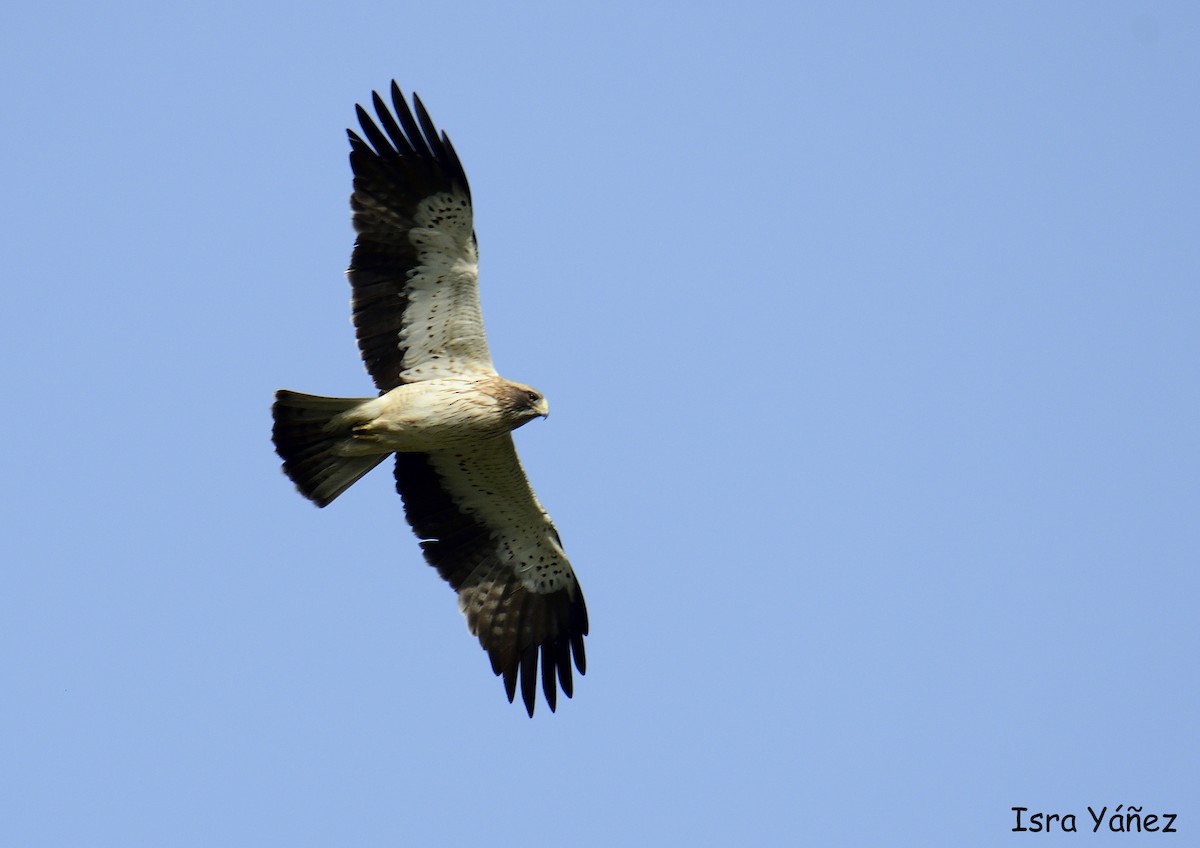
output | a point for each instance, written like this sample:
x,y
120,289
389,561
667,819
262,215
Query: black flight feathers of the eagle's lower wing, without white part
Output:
x,y
514,626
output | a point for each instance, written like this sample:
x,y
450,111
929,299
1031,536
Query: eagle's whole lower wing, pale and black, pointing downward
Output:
x,y
483,528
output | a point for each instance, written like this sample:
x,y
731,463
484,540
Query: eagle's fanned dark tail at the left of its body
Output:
x,y
308,440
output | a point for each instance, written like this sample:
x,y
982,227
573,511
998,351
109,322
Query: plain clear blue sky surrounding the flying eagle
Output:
x,y
871,334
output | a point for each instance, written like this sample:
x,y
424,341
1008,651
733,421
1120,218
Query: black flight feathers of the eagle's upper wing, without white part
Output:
x,y
394,171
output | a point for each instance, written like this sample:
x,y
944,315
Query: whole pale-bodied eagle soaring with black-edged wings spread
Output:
x,y
443,411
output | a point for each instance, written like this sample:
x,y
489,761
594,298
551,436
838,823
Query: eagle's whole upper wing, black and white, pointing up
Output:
x,y
415,268
